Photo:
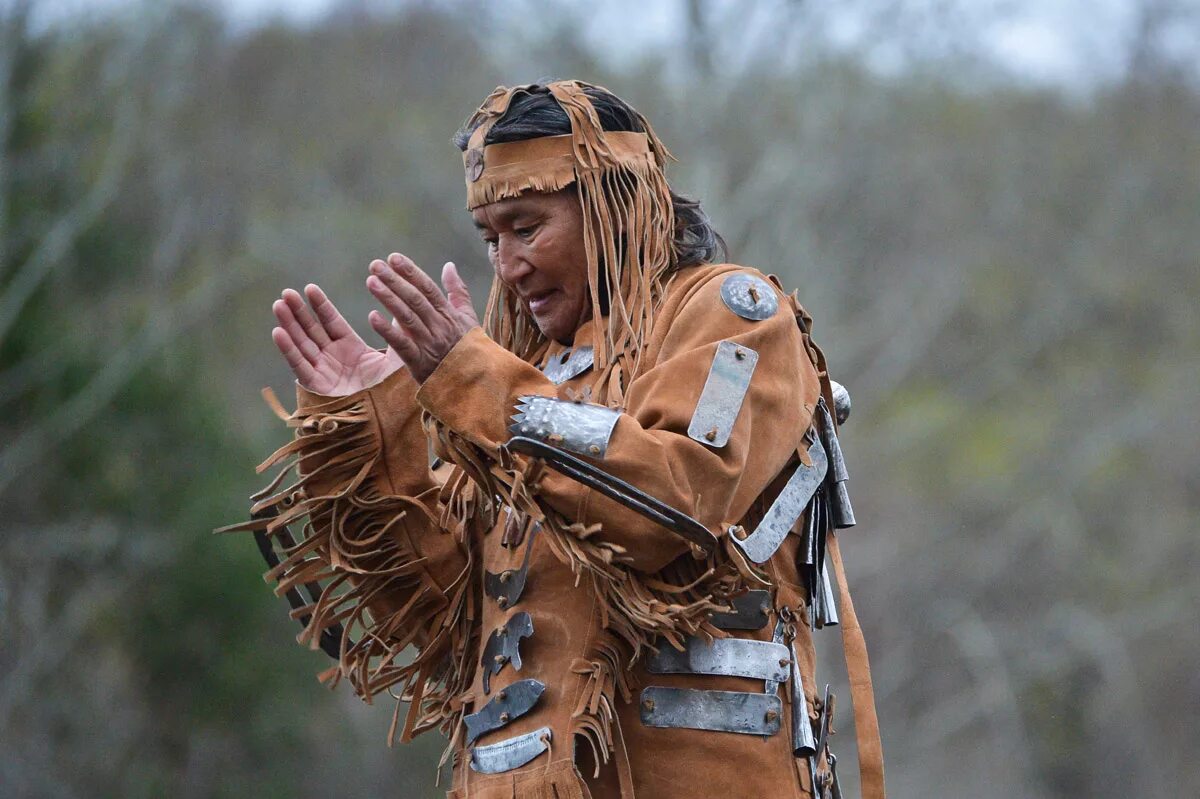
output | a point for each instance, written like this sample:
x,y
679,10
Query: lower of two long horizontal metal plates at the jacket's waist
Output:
x,y
752,714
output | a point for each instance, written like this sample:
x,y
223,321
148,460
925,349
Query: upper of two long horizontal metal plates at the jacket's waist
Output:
x,y
760,660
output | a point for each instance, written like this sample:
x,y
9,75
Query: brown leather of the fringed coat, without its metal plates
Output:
x,y
382,524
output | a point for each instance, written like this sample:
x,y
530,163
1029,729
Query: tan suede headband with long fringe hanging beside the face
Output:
x,y
628,221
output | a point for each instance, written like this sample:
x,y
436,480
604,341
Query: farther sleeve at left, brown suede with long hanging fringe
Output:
x,y
395,569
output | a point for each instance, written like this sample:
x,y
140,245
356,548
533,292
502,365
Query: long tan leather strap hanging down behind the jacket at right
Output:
x,y
862,693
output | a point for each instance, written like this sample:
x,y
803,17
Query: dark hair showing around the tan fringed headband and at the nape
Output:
x,y
537,113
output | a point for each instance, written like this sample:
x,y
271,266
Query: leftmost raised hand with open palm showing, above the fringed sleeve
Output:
x,y
321,347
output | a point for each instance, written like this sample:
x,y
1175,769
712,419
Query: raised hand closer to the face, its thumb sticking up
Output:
x,y
427,325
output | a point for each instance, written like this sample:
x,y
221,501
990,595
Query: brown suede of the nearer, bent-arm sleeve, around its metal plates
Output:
x,y
479,386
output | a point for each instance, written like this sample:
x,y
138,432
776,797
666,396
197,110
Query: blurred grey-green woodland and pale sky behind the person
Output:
x,y
991,208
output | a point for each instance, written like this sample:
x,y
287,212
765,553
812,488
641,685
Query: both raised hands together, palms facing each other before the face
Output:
x,y
328,357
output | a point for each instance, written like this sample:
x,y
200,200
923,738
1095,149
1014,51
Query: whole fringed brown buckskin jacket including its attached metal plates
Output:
x,y
524,639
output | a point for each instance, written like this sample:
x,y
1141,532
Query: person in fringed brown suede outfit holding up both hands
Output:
x,y
608,576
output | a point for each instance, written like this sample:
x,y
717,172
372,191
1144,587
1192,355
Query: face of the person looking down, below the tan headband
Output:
x,y
536,245
